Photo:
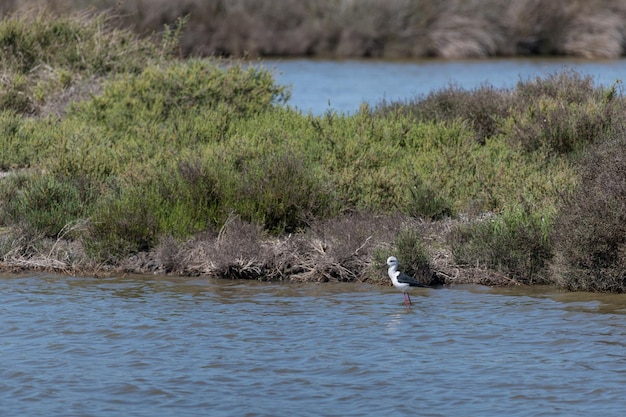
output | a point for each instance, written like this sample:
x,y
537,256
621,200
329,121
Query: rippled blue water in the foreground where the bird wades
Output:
x,y
150,346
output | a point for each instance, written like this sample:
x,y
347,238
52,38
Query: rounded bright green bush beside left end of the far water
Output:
x,y
171,91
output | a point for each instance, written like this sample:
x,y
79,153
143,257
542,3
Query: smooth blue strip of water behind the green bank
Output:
x,y
319,86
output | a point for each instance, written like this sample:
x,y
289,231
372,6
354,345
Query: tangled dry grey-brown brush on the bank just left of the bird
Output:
x,y
339,249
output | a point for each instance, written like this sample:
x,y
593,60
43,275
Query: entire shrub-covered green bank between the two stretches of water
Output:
x,y
127,159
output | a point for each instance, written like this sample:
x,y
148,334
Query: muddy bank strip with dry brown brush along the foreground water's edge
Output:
x,y
352,248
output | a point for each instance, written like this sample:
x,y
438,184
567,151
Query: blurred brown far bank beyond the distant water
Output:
x,y
375,28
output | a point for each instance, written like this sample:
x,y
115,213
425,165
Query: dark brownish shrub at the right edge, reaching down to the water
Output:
x,y
590,233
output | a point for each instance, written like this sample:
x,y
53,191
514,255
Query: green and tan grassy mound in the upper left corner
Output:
x,y
43,56
